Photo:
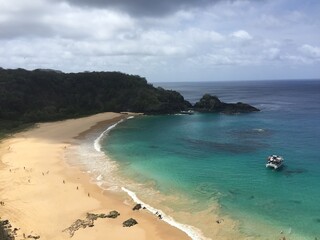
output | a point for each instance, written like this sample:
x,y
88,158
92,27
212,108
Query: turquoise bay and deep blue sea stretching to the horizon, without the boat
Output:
x,y
221,158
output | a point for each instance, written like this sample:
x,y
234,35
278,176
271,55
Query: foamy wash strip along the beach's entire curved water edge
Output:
x,y
91,143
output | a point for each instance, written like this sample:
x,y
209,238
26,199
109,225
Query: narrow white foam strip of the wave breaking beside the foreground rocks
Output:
x,y
192,232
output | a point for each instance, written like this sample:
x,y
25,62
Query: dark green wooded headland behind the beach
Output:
x,y
46,95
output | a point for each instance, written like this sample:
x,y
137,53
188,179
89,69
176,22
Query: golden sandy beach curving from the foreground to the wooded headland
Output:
x,y
42,195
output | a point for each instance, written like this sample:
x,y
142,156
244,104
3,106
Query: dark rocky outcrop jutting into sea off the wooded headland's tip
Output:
x,y
209,103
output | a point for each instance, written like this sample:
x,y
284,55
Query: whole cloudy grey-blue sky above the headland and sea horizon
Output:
x,y
165,40
